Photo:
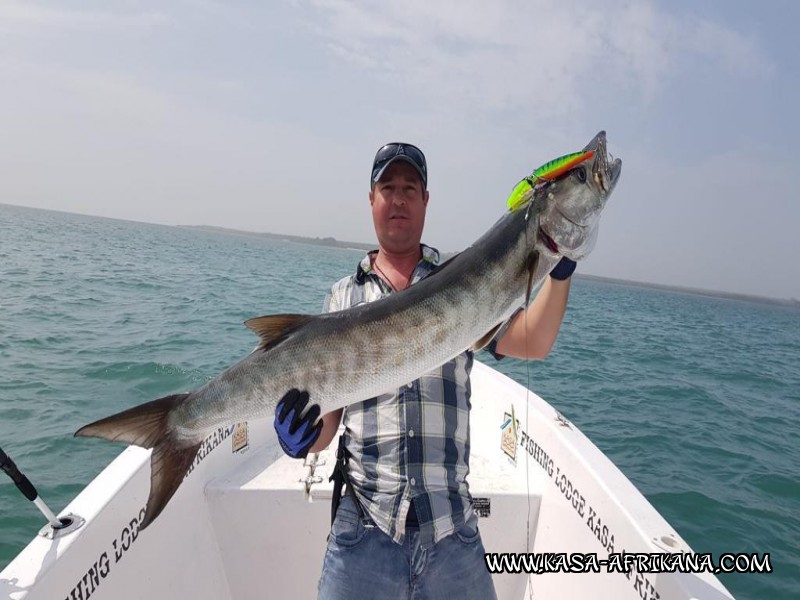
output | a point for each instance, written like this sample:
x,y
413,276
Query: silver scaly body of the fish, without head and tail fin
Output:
x,y
352,355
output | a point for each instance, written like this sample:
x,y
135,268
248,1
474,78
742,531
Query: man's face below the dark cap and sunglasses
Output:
x,y
398,208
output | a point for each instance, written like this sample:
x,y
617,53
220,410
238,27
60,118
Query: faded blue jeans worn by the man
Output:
x,y
363,562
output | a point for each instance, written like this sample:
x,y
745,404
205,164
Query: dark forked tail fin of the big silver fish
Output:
x,y
147,425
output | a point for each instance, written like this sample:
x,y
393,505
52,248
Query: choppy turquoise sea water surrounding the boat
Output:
x,y
696,399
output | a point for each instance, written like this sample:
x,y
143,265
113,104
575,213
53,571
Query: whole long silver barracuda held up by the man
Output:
x,y
367,350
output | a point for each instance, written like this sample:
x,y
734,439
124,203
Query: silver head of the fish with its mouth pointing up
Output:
x,y
572,203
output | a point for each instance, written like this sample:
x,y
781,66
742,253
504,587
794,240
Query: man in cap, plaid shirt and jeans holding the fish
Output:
x,y
405,528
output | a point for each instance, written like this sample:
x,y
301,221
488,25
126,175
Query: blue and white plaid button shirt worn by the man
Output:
x,y
412,443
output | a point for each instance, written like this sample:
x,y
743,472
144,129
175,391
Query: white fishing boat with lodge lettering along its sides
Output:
x,y
249,522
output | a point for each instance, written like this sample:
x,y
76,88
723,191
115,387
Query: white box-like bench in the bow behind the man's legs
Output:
x,y
279,515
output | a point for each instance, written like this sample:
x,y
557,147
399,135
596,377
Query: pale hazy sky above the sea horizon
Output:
x,y
265,116
